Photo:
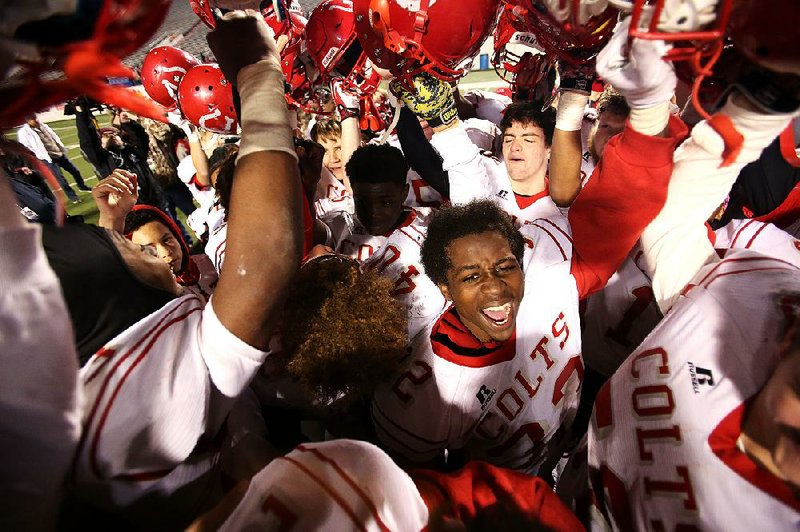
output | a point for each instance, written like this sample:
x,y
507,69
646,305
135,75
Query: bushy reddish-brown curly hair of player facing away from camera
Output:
x,y
343,332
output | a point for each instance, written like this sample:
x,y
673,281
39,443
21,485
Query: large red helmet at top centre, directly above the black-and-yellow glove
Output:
x,y
407,37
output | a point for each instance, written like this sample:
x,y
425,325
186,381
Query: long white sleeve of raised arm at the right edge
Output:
x,y
676,243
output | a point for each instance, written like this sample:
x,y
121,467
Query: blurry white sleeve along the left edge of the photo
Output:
x,y
39,423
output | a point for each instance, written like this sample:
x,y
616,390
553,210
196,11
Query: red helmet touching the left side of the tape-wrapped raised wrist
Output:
x,y
206,99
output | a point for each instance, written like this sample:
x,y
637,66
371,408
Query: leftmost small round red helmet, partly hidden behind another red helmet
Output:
x,y
162,71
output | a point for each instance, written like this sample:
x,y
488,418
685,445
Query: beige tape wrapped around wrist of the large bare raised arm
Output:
x,y
265,115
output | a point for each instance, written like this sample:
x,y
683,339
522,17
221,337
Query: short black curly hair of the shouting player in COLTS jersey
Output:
x,y
457,221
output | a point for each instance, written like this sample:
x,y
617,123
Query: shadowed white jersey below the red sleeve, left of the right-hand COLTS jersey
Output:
x,y
617,318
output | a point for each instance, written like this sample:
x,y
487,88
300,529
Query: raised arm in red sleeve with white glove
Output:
x,y
629,186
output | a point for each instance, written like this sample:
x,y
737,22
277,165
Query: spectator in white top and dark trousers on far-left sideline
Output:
x,y
45,144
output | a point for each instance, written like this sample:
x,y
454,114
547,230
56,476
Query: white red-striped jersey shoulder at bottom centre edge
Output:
x,y
334,485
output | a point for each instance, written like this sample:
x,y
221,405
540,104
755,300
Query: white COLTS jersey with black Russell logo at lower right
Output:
x,y
662,442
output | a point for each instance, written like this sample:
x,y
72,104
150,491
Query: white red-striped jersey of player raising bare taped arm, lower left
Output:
x,y
154,401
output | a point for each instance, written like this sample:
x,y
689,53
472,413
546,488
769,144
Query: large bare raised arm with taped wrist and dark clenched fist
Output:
x,y
265,225
